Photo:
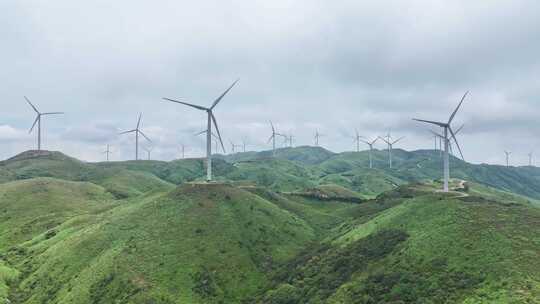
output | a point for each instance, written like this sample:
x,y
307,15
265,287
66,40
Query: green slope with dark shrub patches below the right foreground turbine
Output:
x,y
429,248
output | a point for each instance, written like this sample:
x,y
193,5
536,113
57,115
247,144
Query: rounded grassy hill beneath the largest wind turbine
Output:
x,y
195,244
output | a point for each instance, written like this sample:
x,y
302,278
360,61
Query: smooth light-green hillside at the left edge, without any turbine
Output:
x,y
31,207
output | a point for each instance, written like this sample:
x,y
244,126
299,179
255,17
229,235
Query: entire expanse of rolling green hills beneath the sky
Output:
x,y
308,226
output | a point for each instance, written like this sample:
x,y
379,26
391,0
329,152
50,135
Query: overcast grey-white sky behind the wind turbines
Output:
x,y
305,64
